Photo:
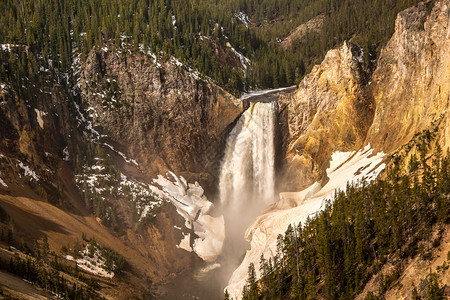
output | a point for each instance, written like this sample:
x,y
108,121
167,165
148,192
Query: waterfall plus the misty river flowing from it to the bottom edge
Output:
x,y
246,187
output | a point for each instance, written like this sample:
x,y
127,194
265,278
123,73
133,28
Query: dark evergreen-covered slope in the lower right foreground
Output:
x,y
334,254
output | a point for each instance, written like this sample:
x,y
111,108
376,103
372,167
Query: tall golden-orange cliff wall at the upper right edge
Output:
x,y
411,81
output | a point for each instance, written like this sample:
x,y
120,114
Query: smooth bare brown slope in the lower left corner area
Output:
x,y
37,218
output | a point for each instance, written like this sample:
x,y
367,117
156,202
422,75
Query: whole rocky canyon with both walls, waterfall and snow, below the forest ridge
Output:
x,y
214,179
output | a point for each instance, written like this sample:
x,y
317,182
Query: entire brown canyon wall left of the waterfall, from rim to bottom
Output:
x,y
81,158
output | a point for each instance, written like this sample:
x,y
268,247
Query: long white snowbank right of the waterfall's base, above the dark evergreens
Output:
x,y
293,208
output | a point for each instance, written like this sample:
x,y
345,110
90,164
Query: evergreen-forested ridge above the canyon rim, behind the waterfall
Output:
x,y
197,32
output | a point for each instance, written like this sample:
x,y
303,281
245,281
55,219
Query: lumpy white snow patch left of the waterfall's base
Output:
x,y
193,206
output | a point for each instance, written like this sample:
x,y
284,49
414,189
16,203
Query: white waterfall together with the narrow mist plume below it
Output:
x,y
247,175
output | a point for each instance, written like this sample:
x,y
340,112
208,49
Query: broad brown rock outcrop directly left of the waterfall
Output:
x,y
161,115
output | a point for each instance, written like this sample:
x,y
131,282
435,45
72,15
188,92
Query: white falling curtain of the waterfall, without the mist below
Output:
x,y
247,173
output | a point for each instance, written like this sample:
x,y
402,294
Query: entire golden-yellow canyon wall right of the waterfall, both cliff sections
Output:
x,y
338,107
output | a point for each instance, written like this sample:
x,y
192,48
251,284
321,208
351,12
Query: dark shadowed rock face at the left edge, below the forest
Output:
x,y
35,126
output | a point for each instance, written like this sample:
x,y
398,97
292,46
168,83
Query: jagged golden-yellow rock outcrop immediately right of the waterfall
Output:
x,y
330,111
